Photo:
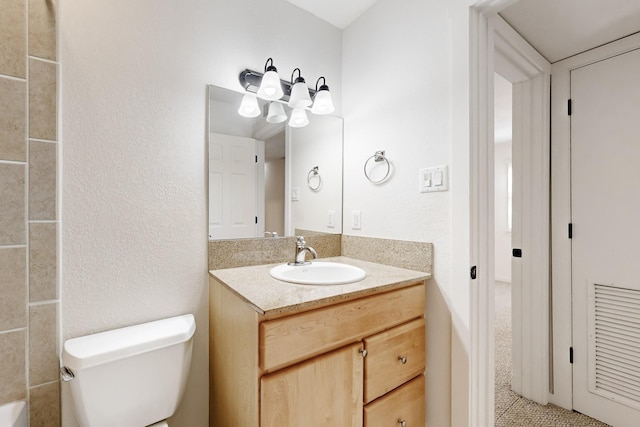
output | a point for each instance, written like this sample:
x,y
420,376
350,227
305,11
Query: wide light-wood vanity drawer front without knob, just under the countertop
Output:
x,y
297,337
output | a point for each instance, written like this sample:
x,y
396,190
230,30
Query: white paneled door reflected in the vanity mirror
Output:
x,y
232,187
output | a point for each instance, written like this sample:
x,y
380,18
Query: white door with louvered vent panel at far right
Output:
x,y
605,180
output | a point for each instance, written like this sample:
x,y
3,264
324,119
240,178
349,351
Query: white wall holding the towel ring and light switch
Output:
x,y
406,91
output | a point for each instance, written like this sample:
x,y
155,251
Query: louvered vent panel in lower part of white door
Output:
x,y
615,344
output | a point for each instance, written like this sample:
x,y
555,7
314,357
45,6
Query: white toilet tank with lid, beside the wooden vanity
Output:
x,y
129,377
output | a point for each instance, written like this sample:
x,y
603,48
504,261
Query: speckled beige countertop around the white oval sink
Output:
x,y
270,296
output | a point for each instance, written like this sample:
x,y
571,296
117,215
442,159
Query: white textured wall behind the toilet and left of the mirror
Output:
x,y
133,90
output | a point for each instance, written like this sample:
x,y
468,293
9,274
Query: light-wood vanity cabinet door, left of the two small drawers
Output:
x,y
323,391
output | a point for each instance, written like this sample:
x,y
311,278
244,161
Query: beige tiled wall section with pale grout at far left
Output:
x,y
29,220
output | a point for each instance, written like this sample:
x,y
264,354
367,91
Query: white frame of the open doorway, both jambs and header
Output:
x,y
499,48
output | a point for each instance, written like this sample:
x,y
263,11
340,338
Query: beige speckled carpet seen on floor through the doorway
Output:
x,y
512,410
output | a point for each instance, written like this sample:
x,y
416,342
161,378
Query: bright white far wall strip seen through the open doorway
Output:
x,y
502,156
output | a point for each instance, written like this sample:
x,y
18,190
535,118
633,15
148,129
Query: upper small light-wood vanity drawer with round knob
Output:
x,y
393,357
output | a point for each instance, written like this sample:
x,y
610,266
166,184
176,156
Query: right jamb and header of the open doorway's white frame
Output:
x,y
529,73
